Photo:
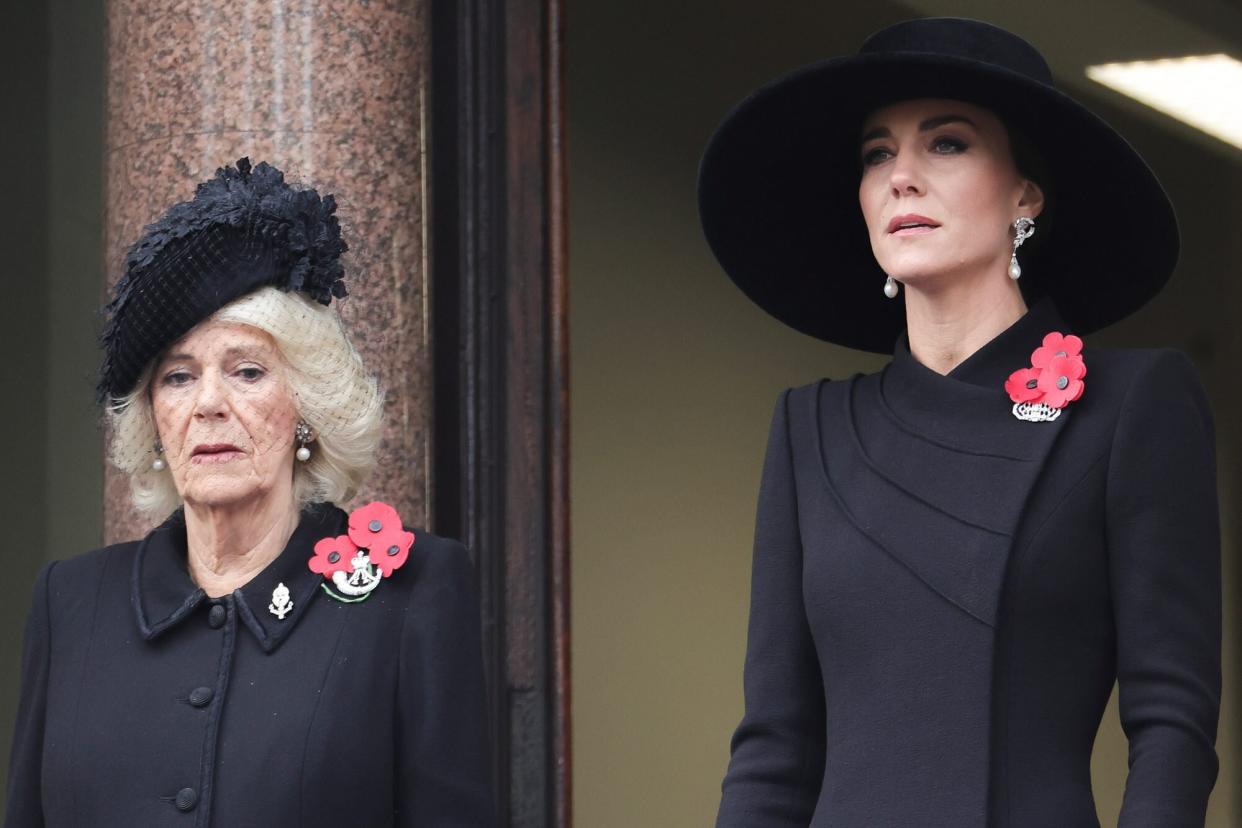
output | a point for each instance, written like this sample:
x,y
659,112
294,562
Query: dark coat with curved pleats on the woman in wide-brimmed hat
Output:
x,y
943,596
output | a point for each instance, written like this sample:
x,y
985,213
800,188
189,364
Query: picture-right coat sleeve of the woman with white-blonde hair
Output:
x,y
444,769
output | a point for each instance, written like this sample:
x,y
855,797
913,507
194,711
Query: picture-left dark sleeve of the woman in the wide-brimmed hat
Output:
x,y
778,750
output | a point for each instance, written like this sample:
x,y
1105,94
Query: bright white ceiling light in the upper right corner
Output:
x,y
1204,91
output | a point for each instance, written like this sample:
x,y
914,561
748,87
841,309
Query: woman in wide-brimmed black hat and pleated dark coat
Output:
x,y
957,557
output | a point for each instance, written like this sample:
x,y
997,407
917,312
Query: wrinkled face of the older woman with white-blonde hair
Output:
x,y
225,415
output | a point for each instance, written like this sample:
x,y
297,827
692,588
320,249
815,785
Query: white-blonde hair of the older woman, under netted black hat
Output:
x,y
332,390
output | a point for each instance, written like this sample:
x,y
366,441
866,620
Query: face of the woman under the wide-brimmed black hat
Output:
x,y
941,192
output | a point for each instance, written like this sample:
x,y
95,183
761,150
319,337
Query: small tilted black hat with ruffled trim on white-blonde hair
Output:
x,y
244,230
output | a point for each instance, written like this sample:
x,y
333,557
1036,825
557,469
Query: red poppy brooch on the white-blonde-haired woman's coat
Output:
x,y
355,564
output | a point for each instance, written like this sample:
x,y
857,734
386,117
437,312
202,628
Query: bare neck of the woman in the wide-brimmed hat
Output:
x,y
950,325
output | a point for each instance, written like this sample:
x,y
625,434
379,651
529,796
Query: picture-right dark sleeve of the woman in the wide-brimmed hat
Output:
x,y
1166,569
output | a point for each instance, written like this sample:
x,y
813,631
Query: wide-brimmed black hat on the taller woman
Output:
x,y
779,186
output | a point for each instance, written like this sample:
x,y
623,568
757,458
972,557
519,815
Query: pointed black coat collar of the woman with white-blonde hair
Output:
x,y
163,593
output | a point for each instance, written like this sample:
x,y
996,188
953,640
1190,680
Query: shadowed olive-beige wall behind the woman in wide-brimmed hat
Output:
x,y
675,376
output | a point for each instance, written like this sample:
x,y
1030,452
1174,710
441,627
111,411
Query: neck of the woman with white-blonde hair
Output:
x,y
229,546
